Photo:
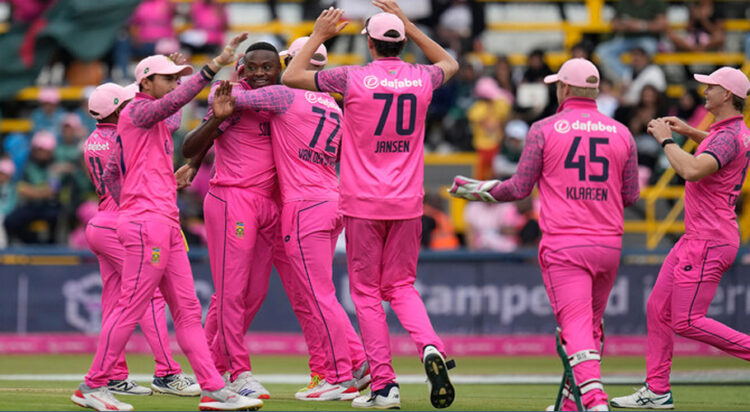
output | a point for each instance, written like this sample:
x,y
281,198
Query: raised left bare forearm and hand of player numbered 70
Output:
x,y
326,26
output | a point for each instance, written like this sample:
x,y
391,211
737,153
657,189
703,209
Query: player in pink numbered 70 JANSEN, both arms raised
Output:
x,y
382,176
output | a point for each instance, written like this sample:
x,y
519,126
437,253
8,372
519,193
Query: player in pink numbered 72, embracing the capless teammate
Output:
x,y
306,132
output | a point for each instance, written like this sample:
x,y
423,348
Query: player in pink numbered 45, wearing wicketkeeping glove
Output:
x,y
586,167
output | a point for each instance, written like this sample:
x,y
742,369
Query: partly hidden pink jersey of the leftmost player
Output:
x,y
96,154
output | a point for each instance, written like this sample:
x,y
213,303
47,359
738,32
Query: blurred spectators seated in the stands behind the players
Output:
x,y
487,108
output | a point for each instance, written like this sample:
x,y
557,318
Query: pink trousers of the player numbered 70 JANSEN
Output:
x,y
382,258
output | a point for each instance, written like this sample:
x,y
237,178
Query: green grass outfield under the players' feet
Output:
x,y
54,395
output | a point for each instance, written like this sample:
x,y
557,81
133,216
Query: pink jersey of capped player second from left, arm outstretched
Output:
x,y
149,189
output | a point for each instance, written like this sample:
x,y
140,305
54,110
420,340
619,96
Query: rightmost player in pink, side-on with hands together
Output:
x,y
691,272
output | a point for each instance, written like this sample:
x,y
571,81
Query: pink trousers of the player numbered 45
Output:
x,y
578,273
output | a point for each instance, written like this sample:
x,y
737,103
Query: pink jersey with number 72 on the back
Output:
x,y
306,130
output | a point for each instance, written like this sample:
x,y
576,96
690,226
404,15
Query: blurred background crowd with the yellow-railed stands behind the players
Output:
x,y
485,110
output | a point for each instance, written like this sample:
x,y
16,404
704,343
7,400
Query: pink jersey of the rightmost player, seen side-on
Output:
x,y
710,202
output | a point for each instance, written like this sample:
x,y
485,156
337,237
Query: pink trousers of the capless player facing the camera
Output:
x,y
244,240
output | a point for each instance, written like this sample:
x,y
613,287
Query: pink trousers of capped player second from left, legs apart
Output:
x,y
155,257
